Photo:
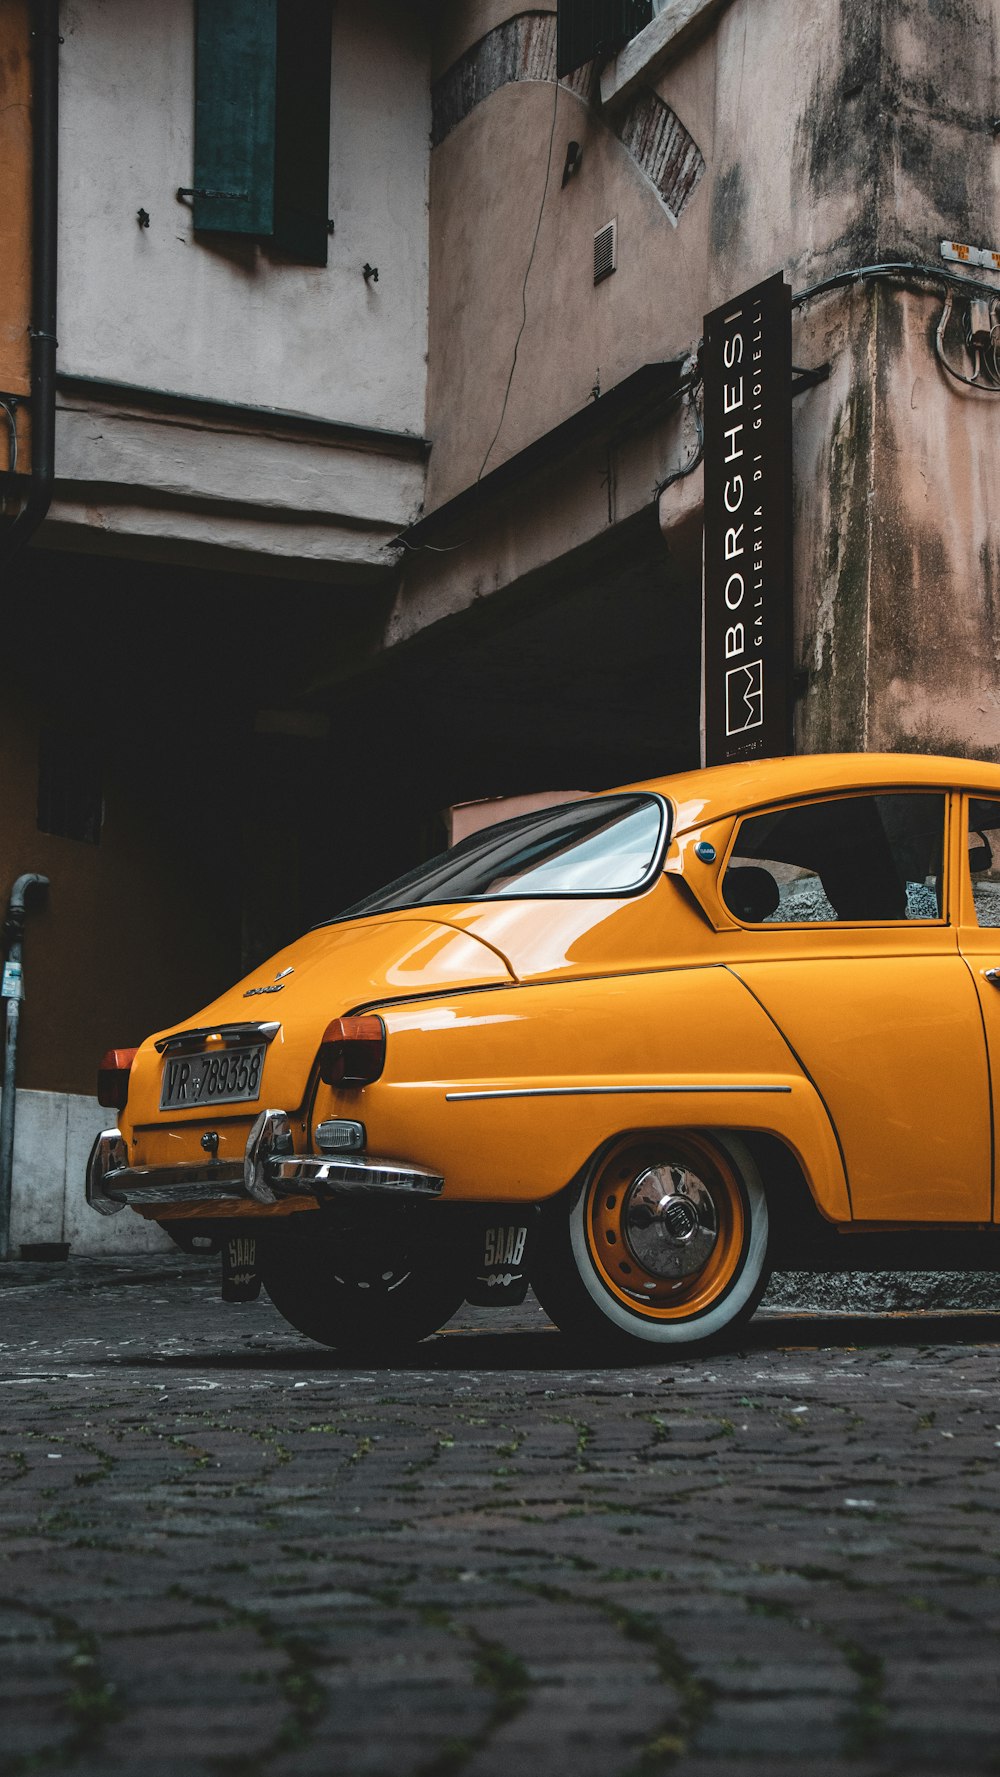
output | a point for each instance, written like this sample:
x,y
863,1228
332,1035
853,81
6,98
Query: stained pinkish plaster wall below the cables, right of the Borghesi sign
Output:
x,y
898,534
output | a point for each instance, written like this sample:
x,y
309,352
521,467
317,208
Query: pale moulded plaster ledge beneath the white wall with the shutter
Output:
x,y
253,493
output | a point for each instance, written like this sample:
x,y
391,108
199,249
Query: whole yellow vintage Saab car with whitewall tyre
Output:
x,y
637,1049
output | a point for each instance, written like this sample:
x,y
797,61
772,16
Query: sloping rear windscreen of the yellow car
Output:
x,y
605,847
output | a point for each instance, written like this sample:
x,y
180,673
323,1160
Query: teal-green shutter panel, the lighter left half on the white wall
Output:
x,y
235,116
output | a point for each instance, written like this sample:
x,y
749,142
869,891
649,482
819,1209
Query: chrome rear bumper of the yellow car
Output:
x,y
267,1174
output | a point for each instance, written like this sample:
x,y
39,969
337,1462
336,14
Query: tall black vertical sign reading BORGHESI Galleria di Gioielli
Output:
x,y
749,525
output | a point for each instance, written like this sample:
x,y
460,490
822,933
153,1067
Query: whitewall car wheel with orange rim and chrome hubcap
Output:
x,y
665,1243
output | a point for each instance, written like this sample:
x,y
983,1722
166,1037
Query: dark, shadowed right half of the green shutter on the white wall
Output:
x,y
303,131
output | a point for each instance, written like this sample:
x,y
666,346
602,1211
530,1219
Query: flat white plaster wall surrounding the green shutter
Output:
x,y
221,317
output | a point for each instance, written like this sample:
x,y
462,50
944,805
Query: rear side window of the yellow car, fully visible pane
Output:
x,y
845,859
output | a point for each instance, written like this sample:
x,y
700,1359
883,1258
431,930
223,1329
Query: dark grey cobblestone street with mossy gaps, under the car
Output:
x,y
225,1550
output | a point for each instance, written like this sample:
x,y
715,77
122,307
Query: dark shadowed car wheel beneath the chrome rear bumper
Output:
x,y
361,1293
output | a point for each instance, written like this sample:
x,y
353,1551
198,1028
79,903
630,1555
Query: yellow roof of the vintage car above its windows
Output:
x,y
718,792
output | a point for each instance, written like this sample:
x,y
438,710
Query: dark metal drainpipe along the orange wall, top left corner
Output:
x,y
45,235
